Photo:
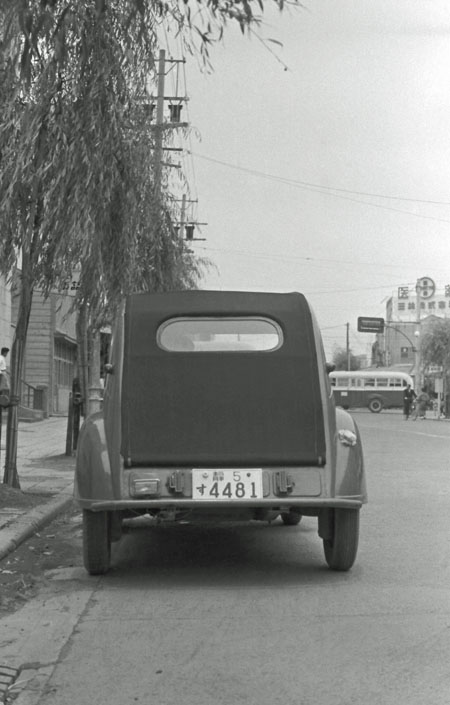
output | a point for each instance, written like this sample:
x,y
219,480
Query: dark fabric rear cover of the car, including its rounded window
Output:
x,y
208,401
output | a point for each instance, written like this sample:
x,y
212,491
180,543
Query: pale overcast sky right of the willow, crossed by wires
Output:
x,y
323,166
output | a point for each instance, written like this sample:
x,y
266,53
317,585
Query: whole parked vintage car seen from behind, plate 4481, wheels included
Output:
x,y
218,407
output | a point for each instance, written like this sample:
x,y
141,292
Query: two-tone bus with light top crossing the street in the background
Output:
x,y
373,389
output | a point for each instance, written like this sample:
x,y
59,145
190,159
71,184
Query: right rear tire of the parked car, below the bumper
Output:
x,y
341,549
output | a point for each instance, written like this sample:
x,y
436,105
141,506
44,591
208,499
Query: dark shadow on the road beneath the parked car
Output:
x,y
248,555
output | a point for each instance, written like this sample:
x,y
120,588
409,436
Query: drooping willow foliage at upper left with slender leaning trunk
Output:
x,y
76,153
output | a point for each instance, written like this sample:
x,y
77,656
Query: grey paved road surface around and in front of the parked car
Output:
x,y
227,615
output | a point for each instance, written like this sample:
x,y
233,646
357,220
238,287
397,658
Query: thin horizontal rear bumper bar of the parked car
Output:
x,y
188,504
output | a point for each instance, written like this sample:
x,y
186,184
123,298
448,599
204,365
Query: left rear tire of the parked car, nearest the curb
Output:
x,y
96,542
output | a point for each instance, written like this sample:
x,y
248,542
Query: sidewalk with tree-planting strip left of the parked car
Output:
x,y
44,472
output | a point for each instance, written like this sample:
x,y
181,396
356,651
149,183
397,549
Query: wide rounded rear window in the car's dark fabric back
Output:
x,y
225,334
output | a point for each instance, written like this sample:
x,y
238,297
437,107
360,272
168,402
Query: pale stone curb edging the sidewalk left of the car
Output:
x,y
20,530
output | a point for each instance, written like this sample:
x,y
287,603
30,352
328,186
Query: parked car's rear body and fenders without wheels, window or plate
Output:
x,y
309,452
